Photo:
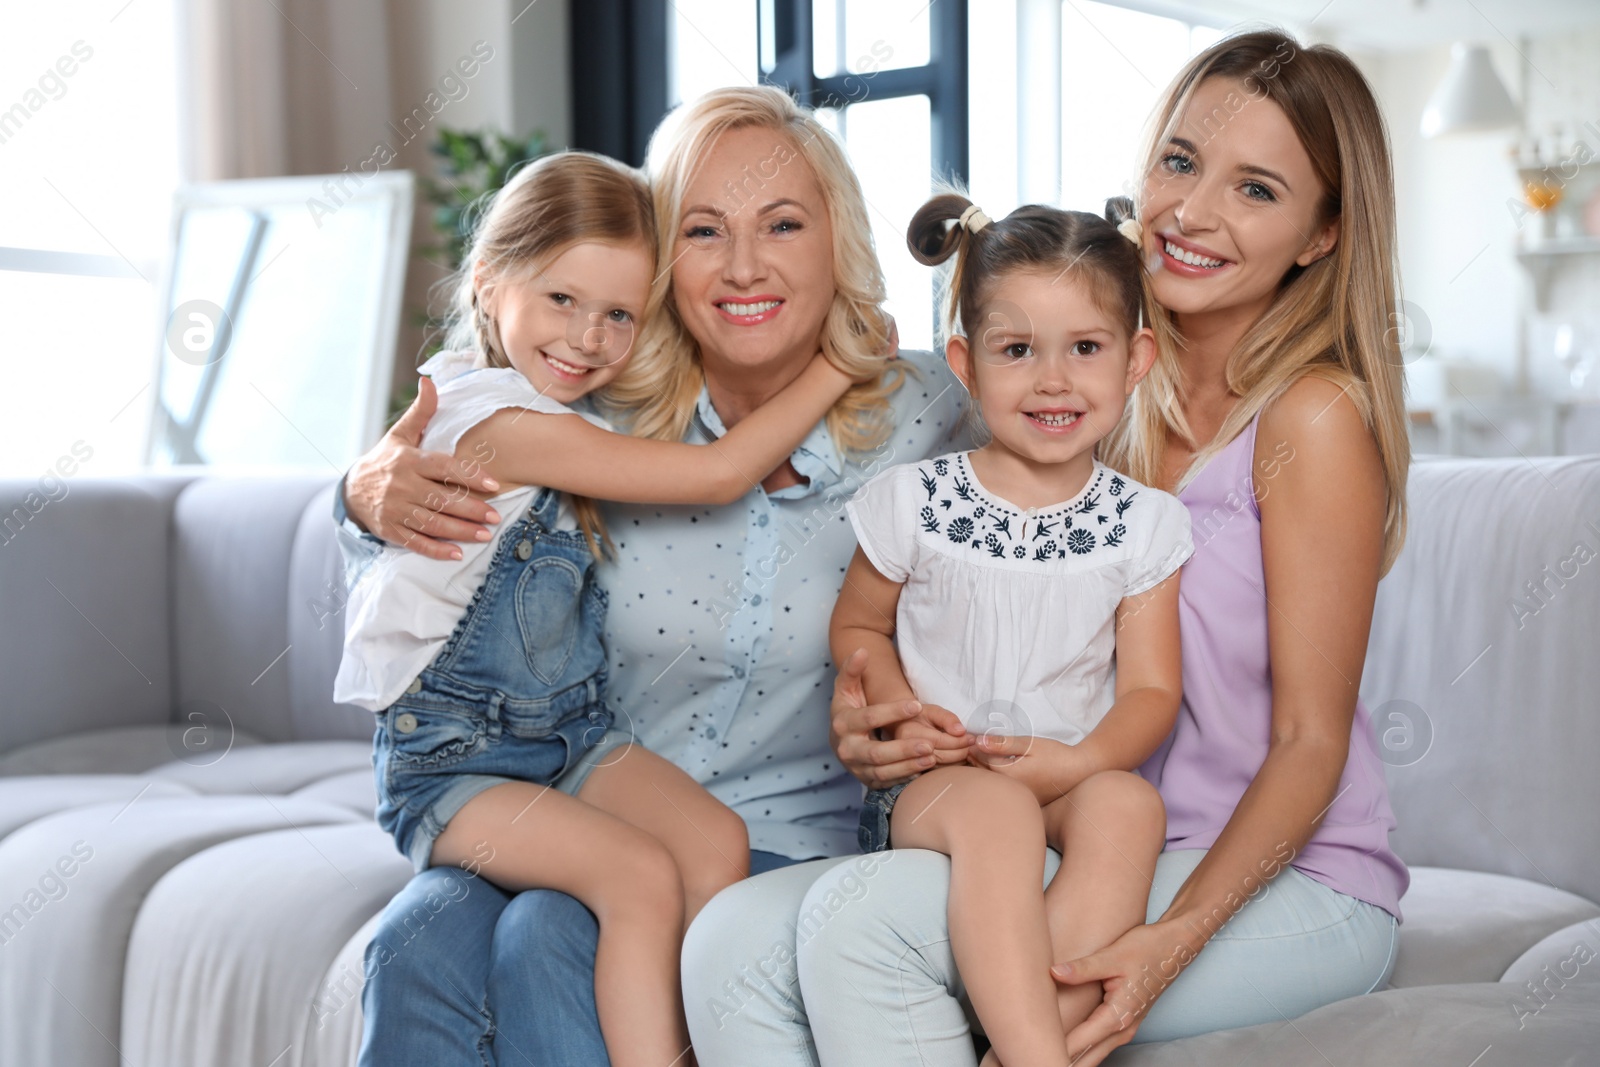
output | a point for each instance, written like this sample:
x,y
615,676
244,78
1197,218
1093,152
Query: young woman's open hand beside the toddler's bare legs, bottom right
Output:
x,y
1135,970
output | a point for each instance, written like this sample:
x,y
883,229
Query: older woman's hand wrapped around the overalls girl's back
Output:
x,y
420,500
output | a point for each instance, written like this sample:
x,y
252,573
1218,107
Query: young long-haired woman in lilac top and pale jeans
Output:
x,y
1268,214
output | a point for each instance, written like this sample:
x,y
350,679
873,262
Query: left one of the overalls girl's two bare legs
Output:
x,y
521,836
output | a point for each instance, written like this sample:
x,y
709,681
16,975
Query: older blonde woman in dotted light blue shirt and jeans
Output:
x,y
716,634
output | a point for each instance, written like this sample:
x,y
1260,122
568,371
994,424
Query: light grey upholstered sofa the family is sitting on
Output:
x,y
190,866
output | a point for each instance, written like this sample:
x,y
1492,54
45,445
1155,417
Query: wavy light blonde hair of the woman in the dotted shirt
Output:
x,y
658,390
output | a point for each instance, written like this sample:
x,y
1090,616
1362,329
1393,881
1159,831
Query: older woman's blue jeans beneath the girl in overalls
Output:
x,y
462,972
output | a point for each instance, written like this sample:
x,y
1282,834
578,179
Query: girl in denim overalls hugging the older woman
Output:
x,y
495,749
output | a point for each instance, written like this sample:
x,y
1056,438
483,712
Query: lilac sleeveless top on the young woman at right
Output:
x,y
1225,721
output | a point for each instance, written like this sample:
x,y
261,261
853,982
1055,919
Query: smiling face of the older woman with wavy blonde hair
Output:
x,y
753,266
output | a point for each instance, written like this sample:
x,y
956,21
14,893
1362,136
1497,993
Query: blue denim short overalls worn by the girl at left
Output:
x,y
516,695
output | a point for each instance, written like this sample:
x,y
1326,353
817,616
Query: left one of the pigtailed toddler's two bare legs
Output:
x,y
991,828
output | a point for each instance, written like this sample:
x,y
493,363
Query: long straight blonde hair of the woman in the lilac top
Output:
x,y
1332,318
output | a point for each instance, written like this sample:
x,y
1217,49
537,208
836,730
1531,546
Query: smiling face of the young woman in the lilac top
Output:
x,y
1231,204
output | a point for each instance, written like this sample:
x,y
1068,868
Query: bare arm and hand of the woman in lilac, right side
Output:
x,y
1322,533
